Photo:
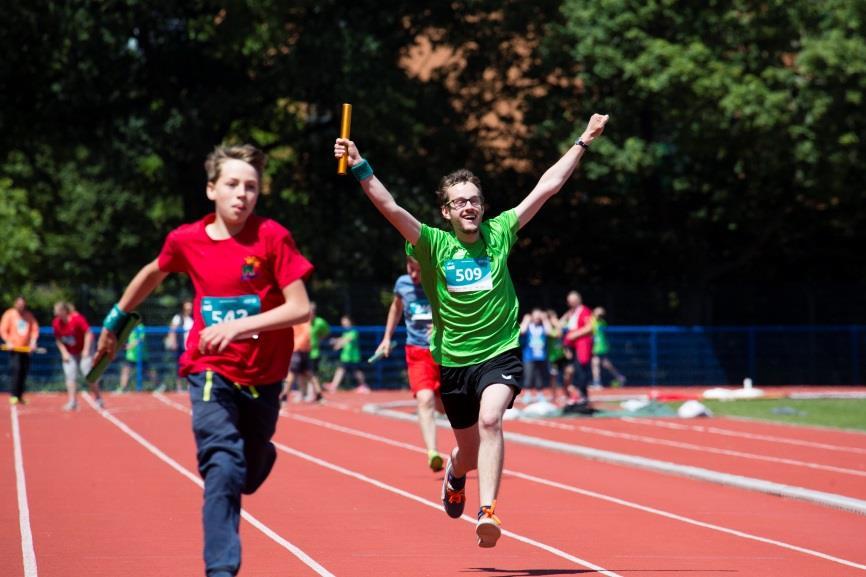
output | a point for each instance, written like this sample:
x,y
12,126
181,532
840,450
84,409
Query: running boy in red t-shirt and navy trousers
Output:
x,y
248,278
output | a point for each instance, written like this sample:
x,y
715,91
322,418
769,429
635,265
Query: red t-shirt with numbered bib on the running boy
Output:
x,y
236,277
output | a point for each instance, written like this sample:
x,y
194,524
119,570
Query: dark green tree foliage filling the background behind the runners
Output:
x,y
734,151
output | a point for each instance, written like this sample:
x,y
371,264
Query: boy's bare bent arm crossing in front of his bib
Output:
x,y
295,310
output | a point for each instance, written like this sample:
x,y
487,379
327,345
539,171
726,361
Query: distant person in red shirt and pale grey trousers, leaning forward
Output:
x,y
75,343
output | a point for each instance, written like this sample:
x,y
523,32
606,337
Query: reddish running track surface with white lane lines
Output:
x,y
116,493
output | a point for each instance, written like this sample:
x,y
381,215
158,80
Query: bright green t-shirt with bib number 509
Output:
x,y
470,290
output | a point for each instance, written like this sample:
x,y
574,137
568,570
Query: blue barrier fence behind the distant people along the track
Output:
x,y
647,355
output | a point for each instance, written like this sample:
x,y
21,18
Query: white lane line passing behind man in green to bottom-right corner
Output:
x,y
600,496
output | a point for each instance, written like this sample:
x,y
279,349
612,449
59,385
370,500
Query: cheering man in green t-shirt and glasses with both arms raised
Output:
x,y
475,336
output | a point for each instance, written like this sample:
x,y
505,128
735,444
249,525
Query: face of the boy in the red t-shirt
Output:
x,y
235,192
